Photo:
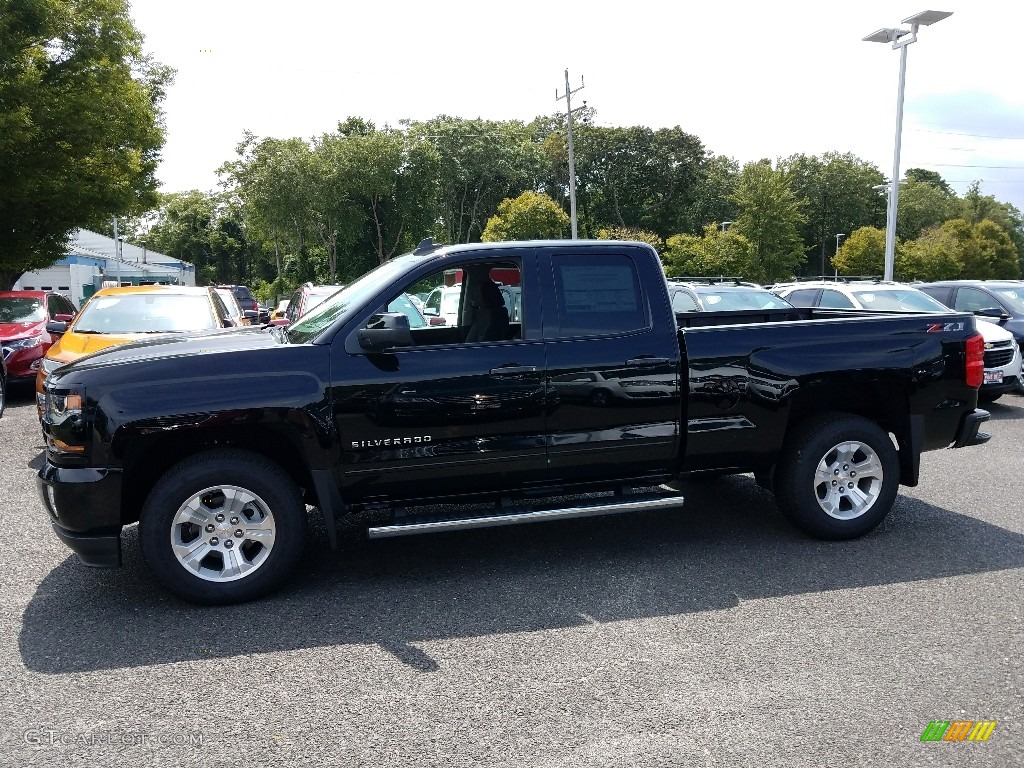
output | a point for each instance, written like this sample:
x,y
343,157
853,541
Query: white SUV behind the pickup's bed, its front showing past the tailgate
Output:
x,y
1003,355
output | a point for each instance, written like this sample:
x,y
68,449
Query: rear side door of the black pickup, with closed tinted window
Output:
x,y
613,366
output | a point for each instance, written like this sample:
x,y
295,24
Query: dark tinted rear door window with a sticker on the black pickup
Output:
x,y
598,294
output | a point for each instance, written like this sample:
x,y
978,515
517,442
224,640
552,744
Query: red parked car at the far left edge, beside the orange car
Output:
x,y
24,337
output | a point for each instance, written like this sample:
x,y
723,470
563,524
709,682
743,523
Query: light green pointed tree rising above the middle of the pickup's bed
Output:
x,y
770,218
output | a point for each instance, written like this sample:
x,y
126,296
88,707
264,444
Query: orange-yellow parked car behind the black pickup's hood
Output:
x,y
117,316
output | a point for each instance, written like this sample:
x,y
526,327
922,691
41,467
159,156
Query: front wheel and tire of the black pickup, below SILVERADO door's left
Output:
x,y
242,498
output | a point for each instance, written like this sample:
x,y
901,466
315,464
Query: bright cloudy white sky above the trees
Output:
x,y
752,79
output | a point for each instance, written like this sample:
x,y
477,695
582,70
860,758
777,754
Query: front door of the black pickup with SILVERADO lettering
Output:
x,y
447,415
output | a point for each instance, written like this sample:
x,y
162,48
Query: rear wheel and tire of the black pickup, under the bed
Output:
x,y
863,470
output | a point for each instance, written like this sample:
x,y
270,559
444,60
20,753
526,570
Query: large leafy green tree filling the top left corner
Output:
x,y
80,125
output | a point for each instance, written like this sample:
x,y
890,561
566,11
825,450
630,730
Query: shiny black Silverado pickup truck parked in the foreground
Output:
x,y
216,444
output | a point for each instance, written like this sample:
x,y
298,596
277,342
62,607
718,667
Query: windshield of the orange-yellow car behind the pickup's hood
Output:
x,y
144,313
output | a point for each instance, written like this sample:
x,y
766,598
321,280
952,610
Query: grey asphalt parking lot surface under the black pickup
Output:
x,y
712,635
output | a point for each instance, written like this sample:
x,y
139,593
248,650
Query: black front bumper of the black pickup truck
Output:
x,y
84,505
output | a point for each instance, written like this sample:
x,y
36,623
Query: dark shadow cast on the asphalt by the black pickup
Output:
x,y
729,543
